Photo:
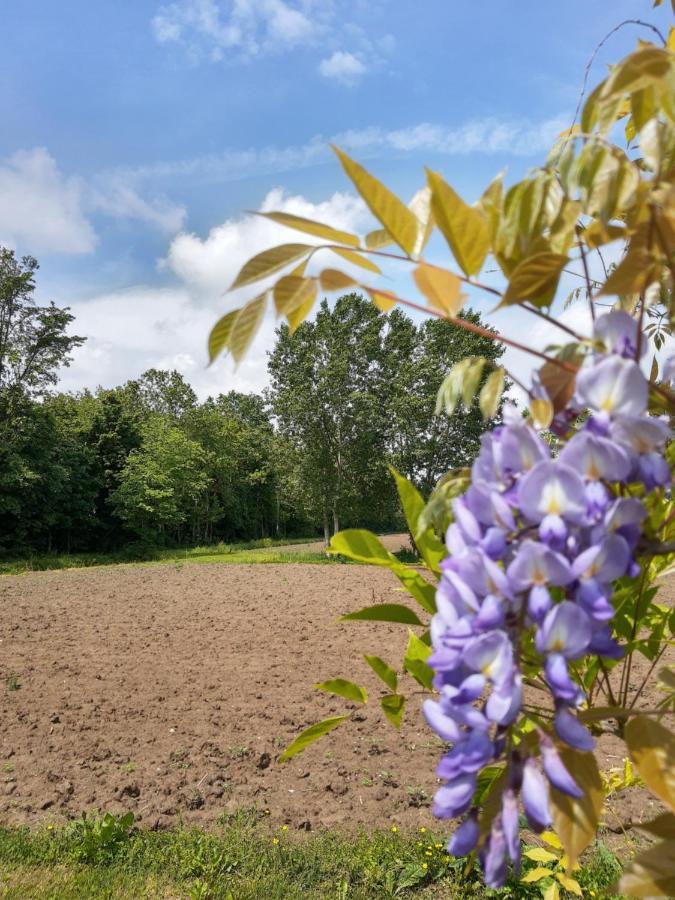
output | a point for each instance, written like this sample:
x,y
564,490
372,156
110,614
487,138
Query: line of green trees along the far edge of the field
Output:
x,y
146,463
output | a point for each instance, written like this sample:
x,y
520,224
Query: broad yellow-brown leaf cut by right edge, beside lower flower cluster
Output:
x,y
652,749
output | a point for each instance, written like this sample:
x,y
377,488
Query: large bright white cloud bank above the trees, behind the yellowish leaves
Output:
x,y
167,327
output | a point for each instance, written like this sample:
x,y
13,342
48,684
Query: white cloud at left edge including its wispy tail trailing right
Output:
x,y
45,211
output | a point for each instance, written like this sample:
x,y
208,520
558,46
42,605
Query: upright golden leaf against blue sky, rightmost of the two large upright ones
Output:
x,y
464,227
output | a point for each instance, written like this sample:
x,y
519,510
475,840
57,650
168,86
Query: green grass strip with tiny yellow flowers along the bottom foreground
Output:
x,y
247,860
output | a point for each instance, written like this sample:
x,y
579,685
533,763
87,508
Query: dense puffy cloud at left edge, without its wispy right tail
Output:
x,y
40,207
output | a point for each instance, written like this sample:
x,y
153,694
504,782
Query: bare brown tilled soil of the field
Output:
x,y
172,689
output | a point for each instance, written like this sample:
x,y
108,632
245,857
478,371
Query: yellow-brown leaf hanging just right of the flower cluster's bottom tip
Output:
x,y
576,820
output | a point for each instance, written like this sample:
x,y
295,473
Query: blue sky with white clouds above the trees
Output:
x,y
135,134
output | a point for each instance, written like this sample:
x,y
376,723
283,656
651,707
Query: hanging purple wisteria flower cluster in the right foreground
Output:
x,y
536,543
